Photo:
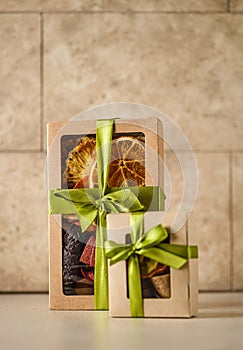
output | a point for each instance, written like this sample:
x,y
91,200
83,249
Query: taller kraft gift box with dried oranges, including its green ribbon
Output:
x,y
88,163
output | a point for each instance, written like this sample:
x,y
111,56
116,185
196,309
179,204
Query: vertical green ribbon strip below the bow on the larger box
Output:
x,y
101,299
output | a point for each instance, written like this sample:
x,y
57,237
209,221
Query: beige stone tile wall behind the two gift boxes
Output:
x,y
183,57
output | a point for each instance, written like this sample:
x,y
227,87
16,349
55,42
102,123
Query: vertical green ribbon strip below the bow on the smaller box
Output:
x,y
135,287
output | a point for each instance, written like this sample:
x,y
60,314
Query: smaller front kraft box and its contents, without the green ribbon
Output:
x,y
171,293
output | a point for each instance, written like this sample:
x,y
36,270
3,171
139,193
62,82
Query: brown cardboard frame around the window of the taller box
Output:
x,y
152,130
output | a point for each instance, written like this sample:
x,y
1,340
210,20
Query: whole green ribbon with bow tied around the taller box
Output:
x,y
94,203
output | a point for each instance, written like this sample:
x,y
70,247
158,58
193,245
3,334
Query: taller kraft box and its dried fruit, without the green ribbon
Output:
x,y
71,149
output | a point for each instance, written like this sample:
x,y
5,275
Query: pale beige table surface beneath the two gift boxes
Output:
x,y
27,323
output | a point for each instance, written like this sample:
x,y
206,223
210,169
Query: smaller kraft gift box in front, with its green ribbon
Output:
x,y
152,272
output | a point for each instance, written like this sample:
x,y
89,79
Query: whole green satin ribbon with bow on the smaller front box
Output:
x,y
149,245
